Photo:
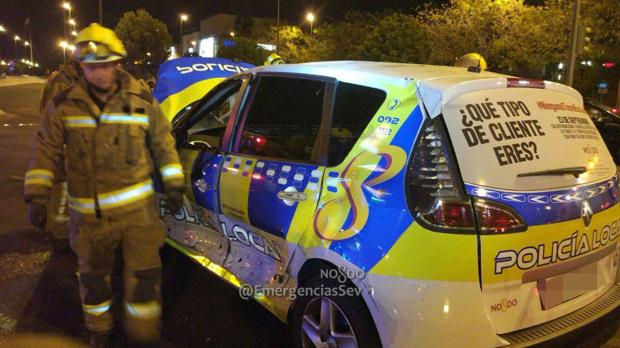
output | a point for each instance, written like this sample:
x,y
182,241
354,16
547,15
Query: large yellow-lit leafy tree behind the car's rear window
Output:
x,y
513,37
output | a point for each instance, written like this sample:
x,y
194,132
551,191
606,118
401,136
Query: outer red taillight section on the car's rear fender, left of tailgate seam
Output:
x,y
450,214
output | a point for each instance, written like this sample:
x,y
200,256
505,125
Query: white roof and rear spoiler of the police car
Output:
x,y
436,85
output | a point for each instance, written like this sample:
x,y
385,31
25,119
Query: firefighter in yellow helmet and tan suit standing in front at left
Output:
x,y
115,133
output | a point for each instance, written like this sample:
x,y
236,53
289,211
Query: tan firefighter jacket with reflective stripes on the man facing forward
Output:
x,y
110,153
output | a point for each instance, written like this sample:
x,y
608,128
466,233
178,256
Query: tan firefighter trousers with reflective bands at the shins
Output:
x,y
140,234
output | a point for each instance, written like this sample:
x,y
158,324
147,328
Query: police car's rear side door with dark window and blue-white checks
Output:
x,y
271,178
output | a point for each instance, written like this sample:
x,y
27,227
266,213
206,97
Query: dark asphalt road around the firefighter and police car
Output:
x,y
38,288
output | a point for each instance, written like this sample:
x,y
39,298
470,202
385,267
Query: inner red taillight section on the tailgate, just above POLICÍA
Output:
x,y
493,218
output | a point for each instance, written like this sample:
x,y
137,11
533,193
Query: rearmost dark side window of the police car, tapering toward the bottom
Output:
x,y
354,106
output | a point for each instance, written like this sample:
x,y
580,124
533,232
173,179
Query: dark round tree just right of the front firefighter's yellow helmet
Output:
x,y
142,34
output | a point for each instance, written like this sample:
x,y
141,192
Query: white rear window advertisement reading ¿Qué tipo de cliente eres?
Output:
x,y
500,133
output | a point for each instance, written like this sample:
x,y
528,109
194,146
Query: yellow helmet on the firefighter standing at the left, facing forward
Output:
x,y
98,44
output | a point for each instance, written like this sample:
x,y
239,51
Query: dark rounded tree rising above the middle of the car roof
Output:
x,y
397,38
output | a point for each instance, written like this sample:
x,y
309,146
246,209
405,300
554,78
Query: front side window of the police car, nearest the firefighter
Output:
x,y
210,117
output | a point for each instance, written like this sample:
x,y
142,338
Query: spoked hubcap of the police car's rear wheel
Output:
x,y
325,325
